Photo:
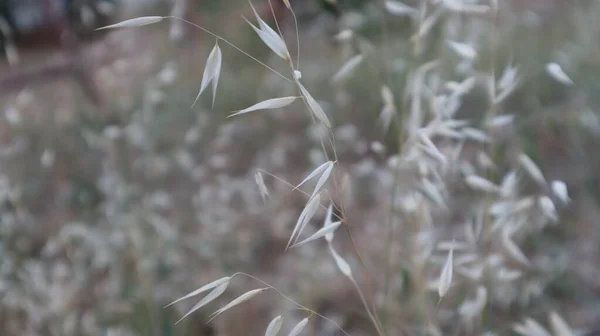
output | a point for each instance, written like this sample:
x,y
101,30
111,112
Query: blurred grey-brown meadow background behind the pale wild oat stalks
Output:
x,y
117,197
